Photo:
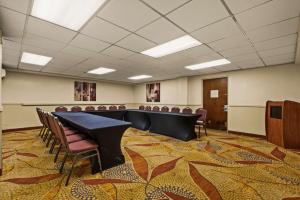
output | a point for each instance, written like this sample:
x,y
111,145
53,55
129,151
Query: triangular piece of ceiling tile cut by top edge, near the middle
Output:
x,y
165,6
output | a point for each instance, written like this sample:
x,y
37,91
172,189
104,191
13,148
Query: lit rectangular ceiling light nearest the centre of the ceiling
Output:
x,y
173,46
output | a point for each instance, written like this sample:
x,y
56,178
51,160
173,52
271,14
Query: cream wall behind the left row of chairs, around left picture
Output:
x,y
23,92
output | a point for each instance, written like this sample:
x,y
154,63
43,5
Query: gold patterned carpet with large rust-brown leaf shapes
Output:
x,y
218,166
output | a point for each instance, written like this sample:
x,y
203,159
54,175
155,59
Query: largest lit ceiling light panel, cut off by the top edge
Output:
x,y
72,14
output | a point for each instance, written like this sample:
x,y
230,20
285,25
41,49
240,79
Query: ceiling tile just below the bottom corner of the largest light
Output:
x,y
88,43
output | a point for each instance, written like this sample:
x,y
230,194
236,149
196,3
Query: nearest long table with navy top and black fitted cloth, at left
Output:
x,y
105,131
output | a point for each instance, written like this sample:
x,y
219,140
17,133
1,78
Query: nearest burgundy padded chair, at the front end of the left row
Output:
x,y
84,149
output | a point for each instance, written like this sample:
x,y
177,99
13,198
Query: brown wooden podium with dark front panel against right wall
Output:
x,y
283,123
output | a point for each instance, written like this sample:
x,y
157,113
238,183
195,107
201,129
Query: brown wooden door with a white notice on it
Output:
x,y
215,102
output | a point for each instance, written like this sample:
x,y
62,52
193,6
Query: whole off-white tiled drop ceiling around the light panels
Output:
x,y
249,33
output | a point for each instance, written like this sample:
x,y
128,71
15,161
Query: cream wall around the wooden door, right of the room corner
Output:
x,y
248,91
